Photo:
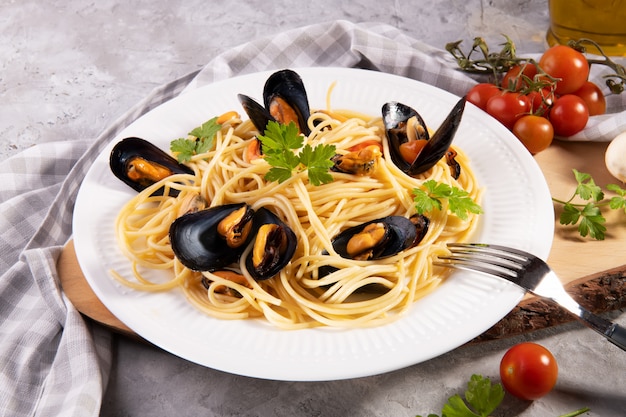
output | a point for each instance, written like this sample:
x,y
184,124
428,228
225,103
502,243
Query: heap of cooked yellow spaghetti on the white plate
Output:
x,y
299,296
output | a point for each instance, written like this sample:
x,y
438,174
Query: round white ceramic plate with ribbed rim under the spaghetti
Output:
x,y
518,212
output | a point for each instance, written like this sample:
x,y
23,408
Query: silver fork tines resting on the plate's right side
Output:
x,y
489,259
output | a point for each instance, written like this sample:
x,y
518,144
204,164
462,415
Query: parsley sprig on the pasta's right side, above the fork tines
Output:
x,y
432,194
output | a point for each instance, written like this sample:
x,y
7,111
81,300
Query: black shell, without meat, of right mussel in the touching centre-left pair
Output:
x,y
281,246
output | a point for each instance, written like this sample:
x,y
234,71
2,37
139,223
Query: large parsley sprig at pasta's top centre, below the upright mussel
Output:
x,y
279,143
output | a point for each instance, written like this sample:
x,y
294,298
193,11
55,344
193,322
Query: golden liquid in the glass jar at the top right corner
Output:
x,y
603,21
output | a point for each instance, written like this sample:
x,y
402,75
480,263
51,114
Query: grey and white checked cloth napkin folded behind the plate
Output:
x,y
51,361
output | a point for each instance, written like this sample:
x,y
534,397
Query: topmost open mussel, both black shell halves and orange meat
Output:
x,y
284,100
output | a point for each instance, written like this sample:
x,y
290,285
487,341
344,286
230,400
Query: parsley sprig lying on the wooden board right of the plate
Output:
x,y
588,215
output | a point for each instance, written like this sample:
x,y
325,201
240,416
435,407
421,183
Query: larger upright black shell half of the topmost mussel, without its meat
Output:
x,y
287,85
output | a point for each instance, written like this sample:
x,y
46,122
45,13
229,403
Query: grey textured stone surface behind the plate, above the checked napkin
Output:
x,y
70,68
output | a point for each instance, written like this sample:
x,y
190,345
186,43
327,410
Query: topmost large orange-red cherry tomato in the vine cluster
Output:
x,y
568,64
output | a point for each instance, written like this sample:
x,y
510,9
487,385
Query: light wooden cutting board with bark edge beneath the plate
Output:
x,y
593,271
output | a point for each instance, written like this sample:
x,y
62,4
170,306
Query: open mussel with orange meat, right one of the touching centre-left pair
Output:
x,y
274,246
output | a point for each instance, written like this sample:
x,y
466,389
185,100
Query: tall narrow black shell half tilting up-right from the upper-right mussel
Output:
x,y
440,142
